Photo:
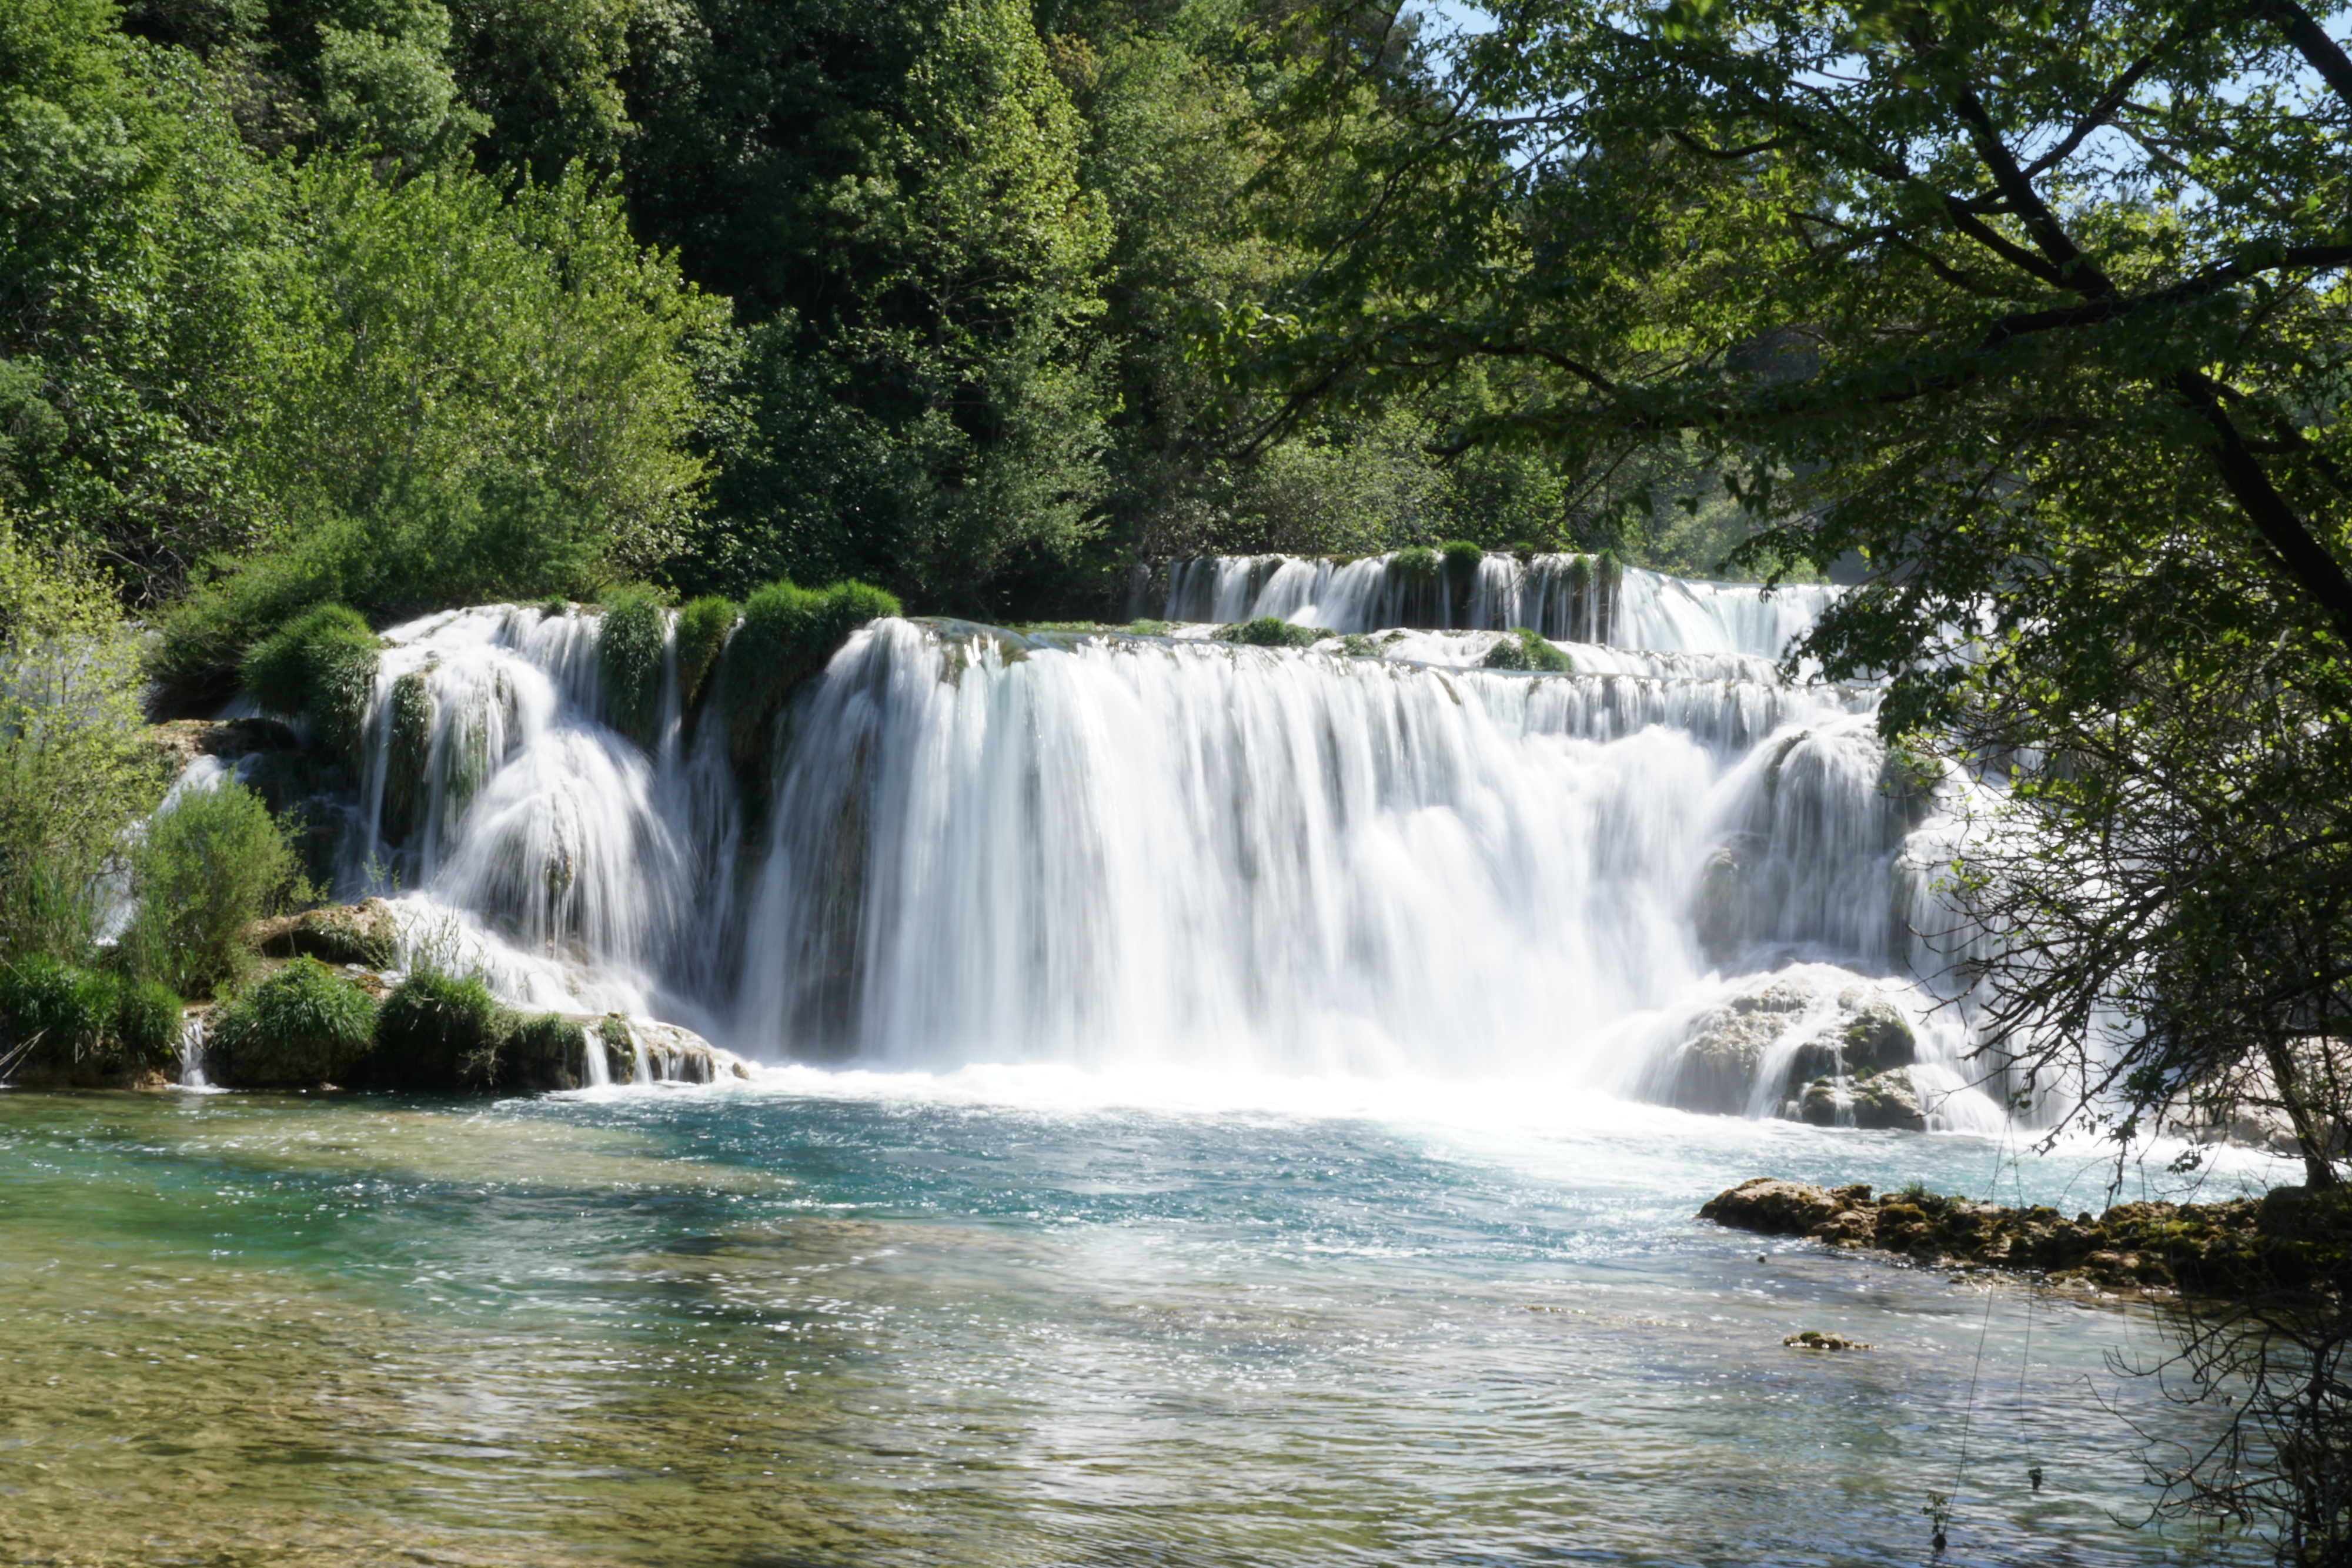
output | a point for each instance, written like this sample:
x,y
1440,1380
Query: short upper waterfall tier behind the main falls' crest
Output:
x,y
1570,598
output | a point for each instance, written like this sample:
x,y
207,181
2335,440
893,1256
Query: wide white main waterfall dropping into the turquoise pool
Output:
x,y
1130,852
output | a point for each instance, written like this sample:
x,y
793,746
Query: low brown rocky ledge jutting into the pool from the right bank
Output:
x,y
2287,1240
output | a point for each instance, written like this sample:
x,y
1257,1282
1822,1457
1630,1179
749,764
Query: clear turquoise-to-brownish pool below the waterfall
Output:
x,y
1010,1318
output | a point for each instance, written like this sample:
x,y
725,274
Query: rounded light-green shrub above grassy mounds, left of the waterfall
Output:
x,y
206,871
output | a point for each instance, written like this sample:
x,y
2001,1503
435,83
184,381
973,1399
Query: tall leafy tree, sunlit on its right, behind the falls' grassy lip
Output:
x,y
890,196
